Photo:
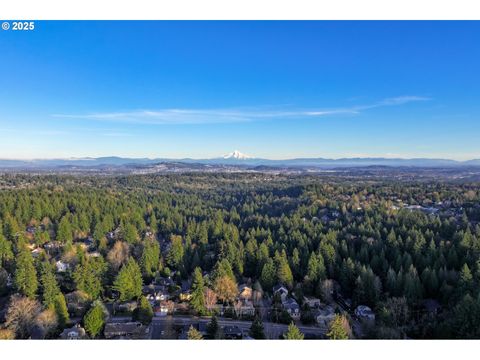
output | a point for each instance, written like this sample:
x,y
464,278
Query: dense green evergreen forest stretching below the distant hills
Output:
x,y
394,246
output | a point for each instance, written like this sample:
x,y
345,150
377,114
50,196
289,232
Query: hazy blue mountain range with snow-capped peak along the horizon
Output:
x,y
235,158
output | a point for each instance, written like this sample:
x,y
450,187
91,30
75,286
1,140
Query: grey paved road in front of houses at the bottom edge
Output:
x,y
162,327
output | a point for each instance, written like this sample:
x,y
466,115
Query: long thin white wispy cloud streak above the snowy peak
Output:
x,y
213,116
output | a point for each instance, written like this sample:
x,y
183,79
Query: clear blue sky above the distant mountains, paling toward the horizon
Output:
x,y
269,89
